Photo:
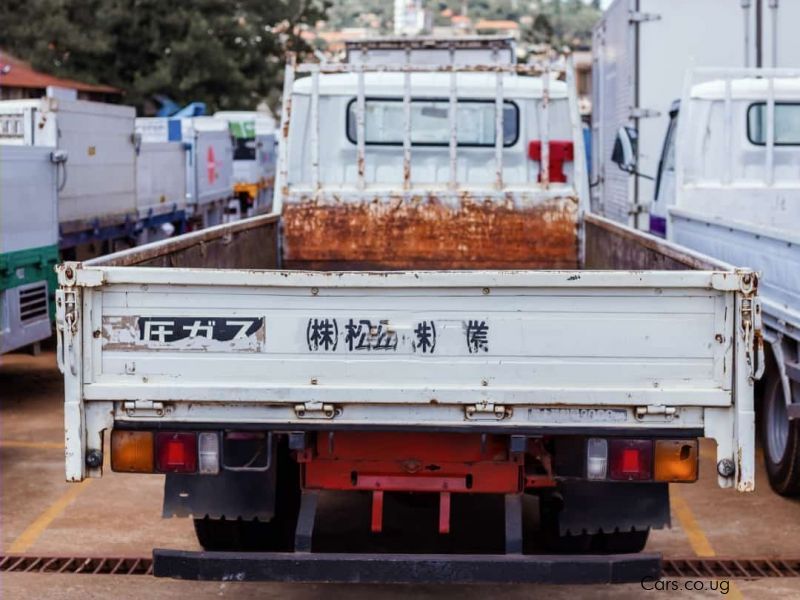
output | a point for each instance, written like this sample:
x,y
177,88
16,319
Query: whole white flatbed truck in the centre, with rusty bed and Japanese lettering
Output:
x,y
429,312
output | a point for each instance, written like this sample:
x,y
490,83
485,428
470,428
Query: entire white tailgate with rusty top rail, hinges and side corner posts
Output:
x,y
510,349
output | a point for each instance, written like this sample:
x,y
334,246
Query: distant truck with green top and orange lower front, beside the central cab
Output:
x,y
254,158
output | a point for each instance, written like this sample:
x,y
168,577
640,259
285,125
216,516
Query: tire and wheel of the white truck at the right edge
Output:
x,y
781,440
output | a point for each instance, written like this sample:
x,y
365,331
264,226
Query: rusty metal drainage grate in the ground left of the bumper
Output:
x,y
92,565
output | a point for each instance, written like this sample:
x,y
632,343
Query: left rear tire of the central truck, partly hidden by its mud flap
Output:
x,y
276,535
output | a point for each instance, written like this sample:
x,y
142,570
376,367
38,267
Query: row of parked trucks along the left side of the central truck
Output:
x,y
110,180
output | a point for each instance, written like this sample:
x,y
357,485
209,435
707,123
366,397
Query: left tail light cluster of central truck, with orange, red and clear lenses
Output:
x,y
165,452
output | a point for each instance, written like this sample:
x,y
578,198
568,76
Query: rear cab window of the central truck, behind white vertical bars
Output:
x,y
430,123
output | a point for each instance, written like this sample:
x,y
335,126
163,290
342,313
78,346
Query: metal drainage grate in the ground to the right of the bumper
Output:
x,y
730,568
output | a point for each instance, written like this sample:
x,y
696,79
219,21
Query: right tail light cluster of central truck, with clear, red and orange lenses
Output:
x,y
641,460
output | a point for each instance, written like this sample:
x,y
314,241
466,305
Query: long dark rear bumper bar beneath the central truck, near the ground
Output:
x,y
405,568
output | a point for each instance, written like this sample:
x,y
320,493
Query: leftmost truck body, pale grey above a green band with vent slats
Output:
x,y
28,245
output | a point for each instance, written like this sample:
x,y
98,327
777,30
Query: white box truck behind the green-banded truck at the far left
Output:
x,y
97,178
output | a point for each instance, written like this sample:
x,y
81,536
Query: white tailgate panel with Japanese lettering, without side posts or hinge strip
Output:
x,y
351,344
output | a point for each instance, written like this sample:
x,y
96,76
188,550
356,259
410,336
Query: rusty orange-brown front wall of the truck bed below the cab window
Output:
x,y
426,233
